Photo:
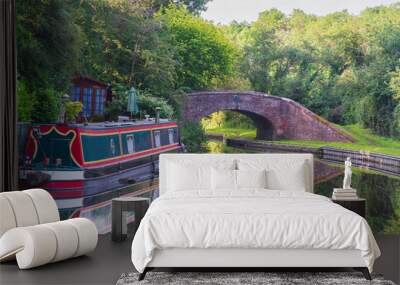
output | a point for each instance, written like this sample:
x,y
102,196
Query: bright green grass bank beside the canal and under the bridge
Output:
x,y
365,140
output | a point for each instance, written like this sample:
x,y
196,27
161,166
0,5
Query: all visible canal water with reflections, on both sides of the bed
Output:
x,y
382,193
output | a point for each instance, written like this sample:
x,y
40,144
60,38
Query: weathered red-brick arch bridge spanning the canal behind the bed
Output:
x,y
274,117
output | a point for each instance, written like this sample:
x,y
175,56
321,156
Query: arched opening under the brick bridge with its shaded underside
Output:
x,y
263,127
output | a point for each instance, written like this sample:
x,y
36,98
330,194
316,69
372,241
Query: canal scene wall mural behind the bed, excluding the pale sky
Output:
x,y
99,100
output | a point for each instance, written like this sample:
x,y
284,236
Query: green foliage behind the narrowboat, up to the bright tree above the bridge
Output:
x,y
120,42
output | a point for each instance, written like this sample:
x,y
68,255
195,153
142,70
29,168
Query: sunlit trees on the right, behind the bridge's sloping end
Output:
x,y
342,67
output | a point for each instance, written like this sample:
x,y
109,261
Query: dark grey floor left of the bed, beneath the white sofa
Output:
x,y
103,266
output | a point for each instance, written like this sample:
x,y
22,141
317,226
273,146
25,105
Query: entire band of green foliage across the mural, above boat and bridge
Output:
x,y
343,67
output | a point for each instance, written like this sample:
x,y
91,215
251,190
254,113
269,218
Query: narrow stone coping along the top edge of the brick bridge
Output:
x,y
288,100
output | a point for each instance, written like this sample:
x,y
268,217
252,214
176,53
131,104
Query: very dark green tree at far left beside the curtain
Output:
x,y
48,51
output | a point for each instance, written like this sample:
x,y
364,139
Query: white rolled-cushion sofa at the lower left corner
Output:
x,y
31,230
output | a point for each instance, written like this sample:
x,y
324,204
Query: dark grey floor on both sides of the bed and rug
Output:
x,y
110,260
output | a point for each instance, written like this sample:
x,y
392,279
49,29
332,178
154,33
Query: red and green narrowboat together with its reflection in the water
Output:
x,y
84,166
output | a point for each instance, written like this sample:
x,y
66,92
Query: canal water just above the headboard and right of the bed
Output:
x,y
381,191
